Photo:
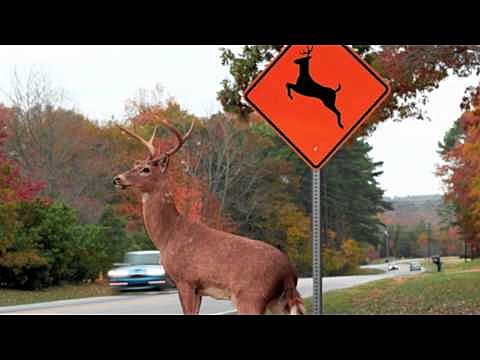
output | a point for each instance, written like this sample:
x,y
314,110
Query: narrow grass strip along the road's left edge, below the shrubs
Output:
x,y
18,297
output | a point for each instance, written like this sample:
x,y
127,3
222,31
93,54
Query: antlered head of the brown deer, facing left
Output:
x,y
146,175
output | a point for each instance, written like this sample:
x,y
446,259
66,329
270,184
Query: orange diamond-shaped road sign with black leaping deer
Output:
x,y
315,97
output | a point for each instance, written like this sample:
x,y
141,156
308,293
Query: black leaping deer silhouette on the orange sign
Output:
x,y
308,87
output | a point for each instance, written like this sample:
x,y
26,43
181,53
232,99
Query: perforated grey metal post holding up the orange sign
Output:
x,y
316,244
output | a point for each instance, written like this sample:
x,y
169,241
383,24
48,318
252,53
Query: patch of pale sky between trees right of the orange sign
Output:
x,y
409,148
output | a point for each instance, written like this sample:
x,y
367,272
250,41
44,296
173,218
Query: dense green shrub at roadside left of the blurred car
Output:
x,y
50,246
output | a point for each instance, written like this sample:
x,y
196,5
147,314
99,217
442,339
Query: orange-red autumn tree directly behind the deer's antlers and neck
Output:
x,y
192,193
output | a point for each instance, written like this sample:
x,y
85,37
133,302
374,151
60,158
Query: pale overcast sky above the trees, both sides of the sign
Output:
x,y
99,79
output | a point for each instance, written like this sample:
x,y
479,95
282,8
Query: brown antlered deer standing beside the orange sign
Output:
x,y
201,261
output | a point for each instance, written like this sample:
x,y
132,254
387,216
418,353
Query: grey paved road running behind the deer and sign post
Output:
x,y
152,303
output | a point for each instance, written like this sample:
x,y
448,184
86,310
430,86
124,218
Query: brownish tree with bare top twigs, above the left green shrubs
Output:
x,y
59,146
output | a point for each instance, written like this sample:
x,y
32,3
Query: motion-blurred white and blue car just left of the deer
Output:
x,y
141,270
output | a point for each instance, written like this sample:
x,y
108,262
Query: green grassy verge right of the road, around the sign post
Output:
x,y
456,290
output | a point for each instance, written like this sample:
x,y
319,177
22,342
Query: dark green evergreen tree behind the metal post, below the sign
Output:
x,y
352,199
